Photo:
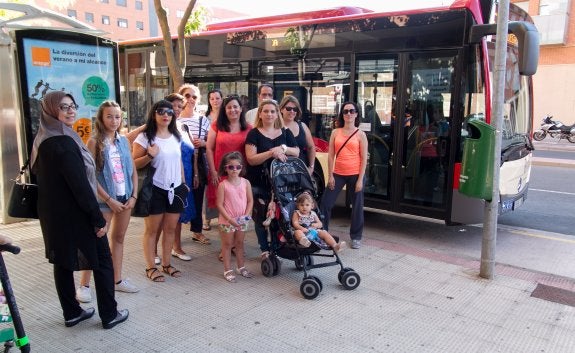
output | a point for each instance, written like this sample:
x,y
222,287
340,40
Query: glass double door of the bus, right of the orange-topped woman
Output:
x,y
406,102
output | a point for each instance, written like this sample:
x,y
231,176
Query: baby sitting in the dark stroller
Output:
x,y
307,225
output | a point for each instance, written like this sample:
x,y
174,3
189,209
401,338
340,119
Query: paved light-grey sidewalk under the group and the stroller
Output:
x,y
409,300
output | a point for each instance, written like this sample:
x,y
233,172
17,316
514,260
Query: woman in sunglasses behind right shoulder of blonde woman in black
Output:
x,y
291,115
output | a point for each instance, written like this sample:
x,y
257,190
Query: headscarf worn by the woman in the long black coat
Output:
x,y
50,126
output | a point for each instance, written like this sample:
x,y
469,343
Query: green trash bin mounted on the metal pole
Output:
x,y
476,178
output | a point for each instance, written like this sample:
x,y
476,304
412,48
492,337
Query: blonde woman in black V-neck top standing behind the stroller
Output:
x,y
268,140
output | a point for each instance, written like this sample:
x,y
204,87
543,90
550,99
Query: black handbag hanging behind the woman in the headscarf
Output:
x,y
23,201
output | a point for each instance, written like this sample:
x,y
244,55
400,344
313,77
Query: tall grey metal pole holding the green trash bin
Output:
x,y
487,267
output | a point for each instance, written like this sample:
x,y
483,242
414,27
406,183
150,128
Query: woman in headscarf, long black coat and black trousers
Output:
x,y
75,231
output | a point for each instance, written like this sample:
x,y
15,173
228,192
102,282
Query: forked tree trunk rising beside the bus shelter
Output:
x,y
192,21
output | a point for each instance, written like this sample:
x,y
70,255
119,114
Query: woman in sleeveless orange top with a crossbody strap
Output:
x,y
346,143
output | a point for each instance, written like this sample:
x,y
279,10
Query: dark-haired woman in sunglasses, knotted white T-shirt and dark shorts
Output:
x,y
159,145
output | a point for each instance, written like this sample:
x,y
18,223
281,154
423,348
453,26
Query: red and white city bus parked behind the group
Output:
x,y
419,70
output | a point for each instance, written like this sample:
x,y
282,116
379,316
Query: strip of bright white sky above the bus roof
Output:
x,y
276,7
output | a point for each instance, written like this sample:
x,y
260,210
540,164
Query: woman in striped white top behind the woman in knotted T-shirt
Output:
x,y
197,131
